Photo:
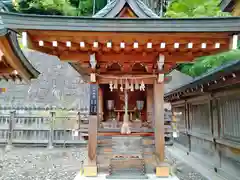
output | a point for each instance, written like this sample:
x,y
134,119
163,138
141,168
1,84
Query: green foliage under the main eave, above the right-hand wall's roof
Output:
x,y
206,63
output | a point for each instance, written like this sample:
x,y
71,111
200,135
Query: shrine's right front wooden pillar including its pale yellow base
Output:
x,y
162,169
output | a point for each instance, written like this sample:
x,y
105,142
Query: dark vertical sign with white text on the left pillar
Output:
x,y
93,99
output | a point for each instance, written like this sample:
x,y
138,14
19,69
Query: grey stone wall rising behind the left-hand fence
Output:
x,y
58,85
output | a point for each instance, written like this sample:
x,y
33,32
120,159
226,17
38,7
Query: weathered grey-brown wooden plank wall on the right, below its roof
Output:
x,y
209,129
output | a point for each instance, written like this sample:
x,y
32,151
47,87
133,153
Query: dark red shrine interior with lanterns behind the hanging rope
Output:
x,y
113,108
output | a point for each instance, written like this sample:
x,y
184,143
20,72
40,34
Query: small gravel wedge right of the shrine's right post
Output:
x,y
183,171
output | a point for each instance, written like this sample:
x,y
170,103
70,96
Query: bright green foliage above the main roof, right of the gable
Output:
x,y
194,8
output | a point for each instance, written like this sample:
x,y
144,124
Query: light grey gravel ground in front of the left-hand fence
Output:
x,y
40,163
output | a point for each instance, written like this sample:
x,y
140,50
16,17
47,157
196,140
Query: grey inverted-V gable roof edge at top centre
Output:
x,y
113,8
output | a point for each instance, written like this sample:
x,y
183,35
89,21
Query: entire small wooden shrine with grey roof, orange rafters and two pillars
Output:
x,y
124,52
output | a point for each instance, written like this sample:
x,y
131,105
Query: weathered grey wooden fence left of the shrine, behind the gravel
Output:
x,y
48,130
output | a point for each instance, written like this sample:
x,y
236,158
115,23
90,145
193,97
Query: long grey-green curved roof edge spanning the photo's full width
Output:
x,y
45,22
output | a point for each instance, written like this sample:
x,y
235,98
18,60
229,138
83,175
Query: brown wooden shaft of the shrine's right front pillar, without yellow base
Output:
x,y
158,91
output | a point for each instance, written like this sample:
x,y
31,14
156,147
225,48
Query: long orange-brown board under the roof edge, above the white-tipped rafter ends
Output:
x,y
142,38
